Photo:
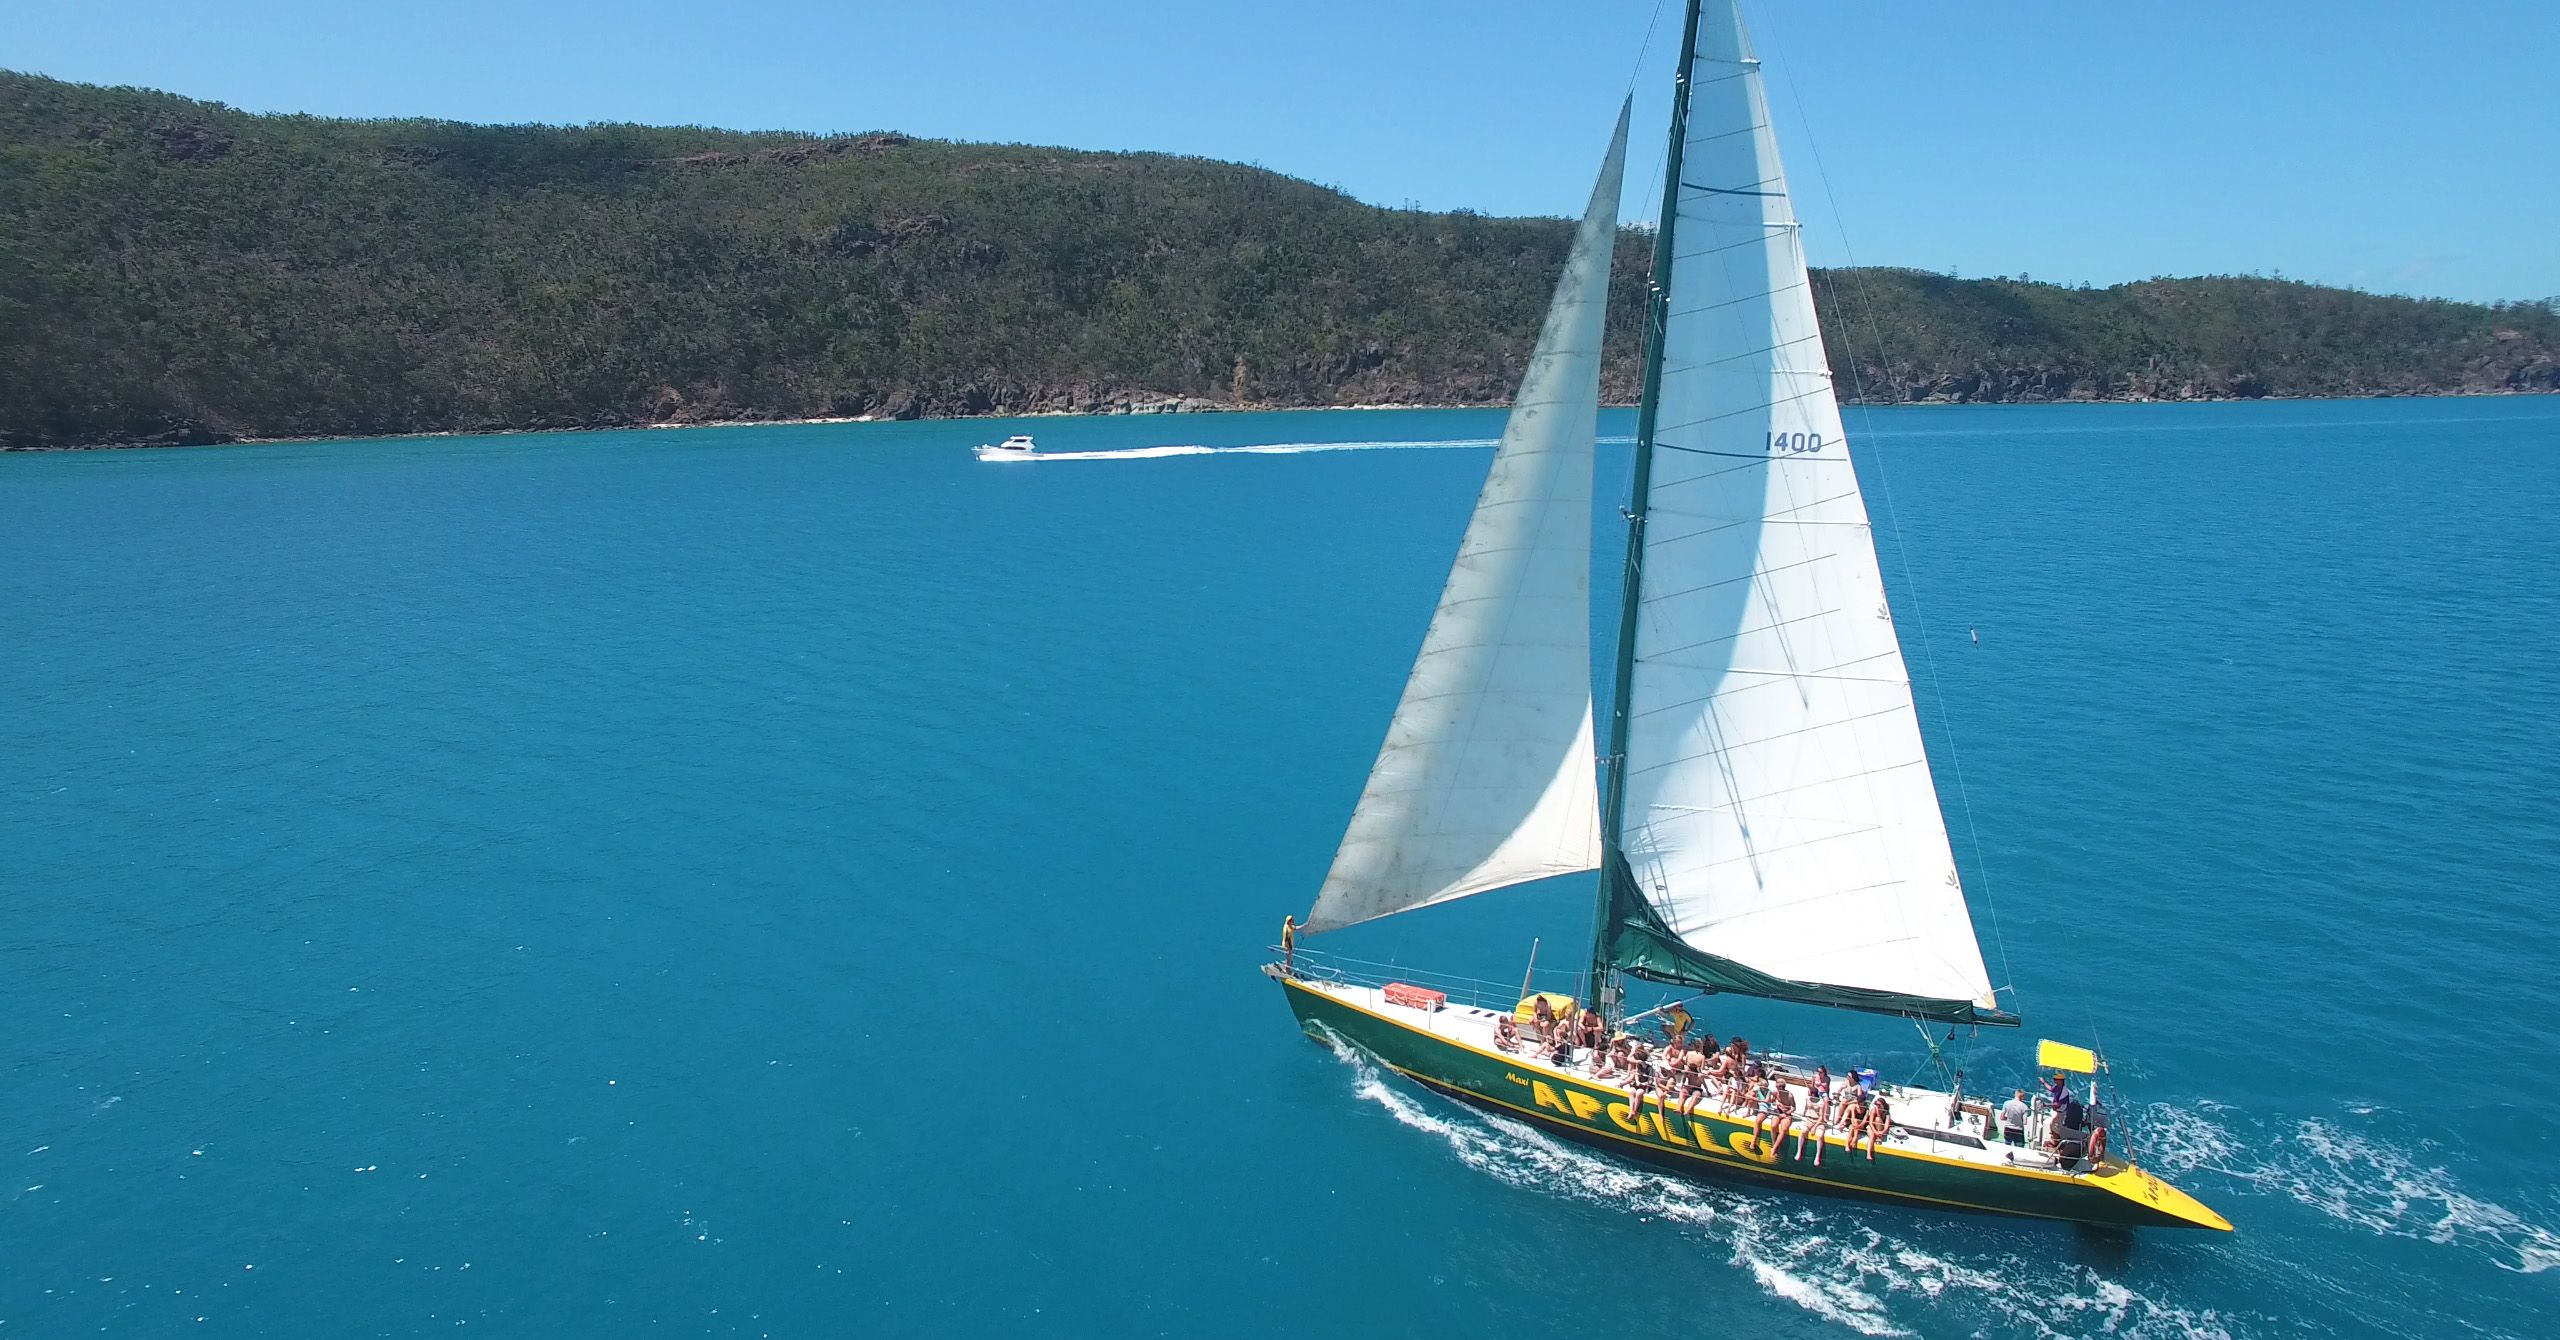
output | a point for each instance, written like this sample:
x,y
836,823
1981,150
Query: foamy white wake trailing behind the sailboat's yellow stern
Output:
x,y
2339,1172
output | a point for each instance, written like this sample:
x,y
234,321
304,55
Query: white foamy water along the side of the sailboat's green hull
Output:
x,y
1814,1257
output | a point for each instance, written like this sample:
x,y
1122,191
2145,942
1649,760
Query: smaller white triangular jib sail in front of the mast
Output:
x,y
1486,778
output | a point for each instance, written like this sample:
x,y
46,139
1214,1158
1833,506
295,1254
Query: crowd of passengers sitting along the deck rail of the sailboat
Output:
x,y
1688,1072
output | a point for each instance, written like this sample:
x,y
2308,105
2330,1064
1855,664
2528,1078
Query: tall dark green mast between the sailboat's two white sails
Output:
x,y
1632,596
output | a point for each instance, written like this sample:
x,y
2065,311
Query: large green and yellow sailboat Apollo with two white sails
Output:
x,y
1763,816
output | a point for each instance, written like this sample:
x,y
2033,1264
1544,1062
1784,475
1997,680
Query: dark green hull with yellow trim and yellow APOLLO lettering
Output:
x,y
1719,1147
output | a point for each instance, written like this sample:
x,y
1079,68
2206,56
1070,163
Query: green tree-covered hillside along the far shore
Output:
x,y
175,270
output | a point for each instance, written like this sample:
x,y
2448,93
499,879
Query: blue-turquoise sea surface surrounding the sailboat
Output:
x,y
810,883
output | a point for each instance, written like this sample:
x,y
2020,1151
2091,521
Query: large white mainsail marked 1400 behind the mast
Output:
x,y
1780,808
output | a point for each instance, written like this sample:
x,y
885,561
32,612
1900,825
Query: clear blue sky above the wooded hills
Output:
x,y
2356,142
